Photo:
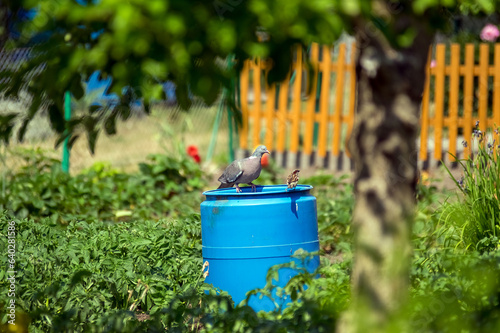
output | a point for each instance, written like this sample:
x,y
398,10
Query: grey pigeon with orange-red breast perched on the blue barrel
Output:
x,y
243,171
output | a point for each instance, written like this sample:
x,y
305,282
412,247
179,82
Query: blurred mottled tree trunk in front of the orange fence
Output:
x,y
383,145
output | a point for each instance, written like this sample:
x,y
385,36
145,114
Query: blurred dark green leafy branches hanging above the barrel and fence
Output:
x,y
142,45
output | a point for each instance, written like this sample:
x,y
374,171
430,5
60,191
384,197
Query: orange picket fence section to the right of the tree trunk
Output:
x,y
468,82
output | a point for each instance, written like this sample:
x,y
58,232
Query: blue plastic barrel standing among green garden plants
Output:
x,y
244,234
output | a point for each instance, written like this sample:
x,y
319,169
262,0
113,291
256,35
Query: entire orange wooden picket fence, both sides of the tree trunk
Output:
x,y
459,90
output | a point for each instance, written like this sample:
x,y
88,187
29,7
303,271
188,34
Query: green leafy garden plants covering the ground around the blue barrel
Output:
x,y
107,251
